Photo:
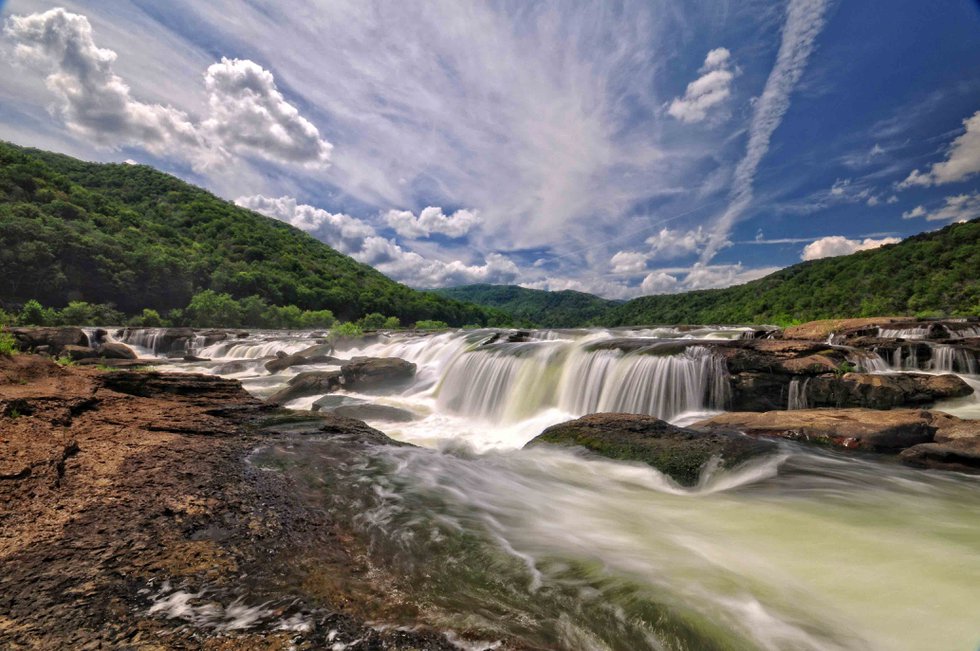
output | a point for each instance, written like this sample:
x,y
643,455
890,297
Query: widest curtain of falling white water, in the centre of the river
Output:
x,y
505,383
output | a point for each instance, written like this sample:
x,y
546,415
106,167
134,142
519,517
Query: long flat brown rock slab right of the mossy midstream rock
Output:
x,y
859,429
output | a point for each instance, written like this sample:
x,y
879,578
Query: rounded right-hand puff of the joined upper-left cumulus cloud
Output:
x,y
248,115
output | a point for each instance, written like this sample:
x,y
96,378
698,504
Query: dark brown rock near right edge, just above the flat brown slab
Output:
x,y
883,391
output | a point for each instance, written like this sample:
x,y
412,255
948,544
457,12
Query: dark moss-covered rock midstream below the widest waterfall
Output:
x,y
680,453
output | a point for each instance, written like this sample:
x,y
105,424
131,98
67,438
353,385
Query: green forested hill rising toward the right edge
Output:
x,y
931,274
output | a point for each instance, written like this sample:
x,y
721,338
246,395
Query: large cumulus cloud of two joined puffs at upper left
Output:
x,y
247,112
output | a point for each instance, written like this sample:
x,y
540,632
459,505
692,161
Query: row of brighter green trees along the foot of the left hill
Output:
x,y
207,309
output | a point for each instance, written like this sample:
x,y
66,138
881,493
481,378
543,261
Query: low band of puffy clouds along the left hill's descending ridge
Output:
x,y
360,240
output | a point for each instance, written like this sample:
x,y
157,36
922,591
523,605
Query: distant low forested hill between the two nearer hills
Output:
x,y
537,307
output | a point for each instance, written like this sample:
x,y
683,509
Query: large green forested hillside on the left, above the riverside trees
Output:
x,y
138,238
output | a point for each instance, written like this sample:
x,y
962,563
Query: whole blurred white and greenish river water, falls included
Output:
x,y
806,549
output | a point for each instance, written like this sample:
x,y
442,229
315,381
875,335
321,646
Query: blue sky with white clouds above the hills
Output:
x,y
619,148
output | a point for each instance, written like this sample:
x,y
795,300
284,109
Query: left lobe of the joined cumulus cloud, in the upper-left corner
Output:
x,y
94,101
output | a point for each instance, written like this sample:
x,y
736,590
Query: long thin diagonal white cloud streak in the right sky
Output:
x,y
804,20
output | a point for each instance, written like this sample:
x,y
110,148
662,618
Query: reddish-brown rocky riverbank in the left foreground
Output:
x,y
133,519
